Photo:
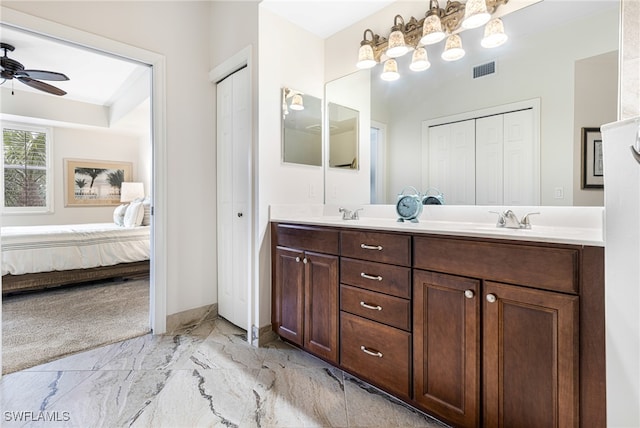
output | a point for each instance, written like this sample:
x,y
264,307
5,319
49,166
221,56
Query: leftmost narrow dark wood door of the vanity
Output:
x,y
288,307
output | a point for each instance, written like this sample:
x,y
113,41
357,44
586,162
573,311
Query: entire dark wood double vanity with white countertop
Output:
x,y
471,324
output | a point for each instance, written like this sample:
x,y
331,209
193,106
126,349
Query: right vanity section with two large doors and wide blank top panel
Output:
x,y
500,346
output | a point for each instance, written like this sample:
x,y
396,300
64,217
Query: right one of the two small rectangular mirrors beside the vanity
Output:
x,y
343,136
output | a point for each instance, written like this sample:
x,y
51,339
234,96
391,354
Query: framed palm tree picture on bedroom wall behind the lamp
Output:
x,y
94,182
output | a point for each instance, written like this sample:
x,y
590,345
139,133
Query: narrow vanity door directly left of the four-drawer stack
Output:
x,y
321,305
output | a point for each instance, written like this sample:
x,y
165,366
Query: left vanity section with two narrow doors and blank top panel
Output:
x,y
305,288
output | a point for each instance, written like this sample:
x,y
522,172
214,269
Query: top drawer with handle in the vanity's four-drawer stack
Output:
x,y
377,247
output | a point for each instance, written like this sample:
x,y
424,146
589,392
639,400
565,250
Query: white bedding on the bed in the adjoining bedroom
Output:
x,y
31,249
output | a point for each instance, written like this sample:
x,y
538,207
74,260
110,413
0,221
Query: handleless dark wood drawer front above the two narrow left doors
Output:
x,y
308,238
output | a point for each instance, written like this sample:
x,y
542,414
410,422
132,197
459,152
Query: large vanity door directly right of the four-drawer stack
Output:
x,y
446,337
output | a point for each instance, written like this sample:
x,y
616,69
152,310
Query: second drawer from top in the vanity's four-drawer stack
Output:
x,y
389,279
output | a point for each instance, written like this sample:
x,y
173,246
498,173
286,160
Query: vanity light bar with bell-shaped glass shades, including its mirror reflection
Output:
x,y
419,35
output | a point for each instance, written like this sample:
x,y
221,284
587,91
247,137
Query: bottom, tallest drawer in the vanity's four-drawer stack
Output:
x,y
378,353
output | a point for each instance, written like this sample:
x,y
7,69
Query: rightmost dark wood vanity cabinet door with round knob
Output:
x,y
530,357
